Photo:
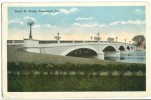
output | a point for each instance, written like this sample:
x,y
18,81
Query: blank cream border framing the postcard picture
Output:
x,y
40,95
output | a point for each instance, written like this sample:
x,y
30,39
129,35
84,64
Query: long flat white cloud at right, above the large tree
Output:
x,y
136,22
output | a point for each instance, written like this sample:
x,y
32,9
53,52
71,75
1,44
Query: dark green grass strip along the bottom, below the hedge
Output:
x,y
45,83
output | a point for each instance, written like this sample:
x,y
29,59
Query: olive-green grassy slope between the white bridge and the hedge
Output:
x,y
17,54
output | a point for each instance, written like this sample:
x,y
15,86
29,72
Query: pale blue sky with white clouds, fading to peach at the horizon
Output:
x,y
77,22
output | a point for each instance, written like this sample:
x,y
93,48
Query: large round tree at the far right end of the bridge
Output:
x,y
138,40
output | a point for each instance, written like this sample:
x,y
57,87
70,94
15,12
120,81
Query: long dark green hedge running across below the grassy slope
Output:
x,y
68,67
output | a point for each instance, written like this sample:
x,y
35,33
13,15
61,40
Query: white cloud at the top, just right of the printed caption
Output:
x,y
64,11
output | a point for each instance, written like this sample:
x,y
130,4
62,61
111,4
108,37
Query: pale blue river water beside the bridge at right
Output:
x,y
130,57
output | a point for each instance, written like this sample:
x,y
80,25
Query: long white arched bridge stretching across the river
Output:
x,y
102,48
